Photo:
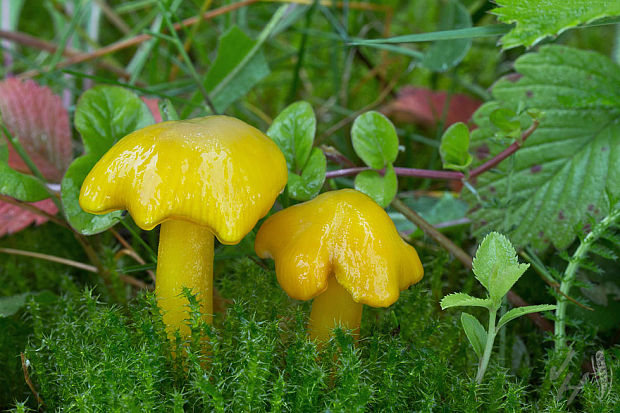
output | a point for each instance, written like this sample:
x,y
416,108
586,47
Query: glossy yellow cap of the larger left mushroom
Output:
x,y
214,171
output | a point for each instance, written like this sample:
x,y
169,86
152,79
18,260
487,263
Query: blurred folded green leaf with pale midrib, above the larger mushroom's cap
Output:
x,y
237,68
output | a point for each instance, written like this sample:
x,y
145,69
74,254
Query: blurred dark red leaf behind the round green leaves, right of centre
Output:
x,y
425,107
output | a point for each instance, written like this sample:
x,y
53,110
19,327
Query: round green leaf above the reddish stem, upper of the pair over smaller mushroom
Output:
x,y
374,139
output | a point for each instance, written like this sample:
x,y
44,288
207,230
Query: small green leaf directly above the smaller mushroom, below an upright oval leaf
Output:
x,y
308,185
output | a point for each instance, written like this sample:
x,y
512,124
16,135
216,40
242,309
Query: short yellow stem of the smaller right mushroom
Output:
x,y
334,308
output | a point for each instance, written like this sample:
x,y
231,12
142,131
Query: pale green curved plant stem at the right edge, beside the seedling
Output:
x,y
571,270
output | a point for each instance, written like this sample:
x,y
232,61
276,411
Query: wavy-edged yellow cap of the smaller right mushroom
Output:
x,y
341,233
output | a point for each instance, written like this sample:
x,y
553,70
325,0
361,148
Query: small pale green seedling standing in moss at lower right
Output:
x,y
497,268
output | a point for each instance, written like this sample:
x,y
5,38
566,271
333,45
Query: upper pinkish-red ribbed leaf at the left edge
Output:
x,y
37,117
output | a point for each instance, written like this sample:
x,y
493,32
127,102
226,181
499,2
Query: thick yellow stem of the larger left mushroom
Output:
x,y
184,259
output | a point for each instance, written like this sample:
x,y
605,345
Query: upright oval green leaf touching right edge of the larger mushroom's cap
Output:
x,y
293,131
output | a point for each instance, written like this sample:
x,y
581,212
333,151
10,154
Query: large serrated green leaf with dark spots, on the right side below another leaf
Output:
x,y
569,166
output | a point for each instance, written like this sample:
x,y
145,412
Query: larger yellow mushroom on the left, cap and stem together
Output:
x,y
197,178
